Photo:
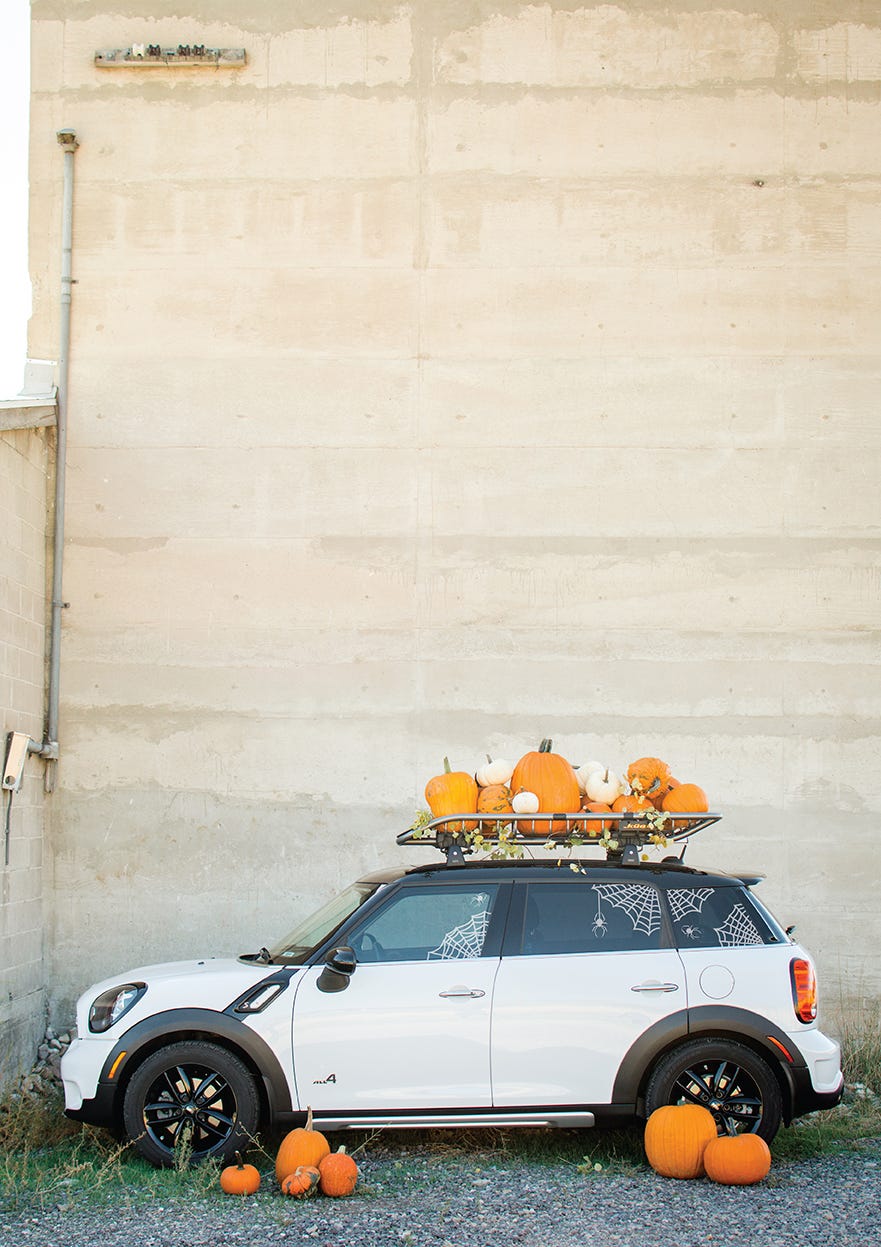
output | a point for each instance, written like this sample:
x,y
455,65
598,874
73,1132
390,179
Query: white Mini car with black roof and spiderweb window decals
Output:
x,y
469,993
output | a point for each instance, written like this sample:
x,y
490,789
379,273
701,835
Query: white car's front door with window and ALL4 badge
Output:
x,y
411,1031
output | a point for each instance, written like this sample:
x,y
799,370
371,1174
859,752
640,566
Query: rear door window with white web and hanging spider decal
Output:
x,y
591,918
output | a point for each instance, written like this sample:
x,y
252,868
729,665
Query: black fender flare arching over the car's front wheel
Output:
x,y
178,1024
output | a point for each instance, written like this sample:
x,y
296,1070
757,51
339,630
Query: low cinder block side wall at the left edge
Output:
x,y
23,603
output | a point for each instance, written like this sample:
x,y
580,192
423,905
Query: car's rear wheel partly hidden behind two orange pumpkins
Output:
x,y
734,1083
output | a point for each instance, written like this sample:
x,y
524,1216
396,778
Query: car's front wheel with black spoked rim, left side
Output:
x,y
192,1100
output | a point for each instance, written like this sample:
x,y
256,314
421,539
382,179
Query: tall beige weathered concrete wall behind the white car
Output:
x,y
454,376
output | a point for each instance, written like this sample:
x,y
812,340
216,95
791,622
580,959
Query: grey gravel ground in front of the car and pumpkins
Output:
x,y
439,1203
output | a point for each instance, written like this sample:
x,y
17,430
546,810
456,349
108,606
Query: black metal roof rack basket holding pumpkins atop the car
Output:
x,y
622,836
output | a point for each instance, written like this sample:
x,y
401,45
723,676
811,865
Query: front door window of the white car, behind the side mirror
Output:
x,y
429,925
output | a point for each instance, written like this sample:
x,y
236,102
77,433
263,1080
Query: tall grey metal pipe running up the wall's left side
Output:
x,y
51,746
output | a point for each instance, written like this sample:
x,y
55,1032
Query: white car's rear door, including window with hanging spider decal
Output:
x,y
585,975
